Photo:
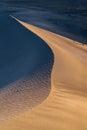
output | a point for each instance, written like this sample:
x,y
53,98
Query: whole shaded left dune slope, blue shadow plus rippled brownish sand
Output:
x,y
25,70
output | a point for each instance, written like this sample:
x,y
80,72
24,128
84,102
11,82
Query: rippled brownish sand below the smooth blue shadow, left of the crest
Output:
x,y
26,93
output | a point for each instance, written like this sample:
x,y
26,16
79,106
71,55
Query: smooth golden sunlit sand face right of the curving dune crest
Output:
x,y
66,106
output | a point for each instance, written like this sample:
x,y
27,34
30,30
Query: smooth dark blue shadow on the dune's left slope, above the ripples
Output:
x,y
21,51
